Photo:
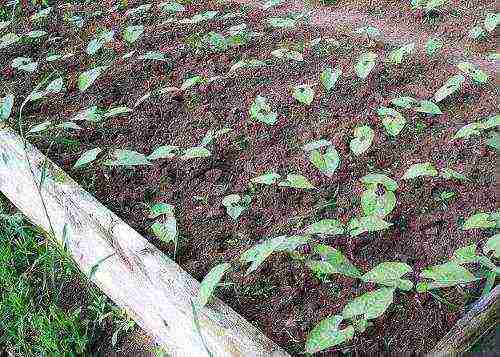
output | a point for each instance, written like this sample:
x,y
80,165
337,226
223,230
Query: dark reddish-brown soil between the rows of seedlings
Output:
x,y
283,297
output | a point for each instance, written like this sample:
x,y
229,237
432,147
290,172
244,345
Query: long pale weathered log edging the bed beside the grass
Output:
x,y
153,289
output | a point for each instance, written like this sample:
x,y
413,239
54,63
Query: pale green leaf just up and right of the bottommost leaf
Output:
x,y
369,305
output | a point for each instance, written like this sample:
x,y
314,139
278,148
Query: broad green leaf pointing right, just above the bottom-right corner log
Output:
x,y
446,275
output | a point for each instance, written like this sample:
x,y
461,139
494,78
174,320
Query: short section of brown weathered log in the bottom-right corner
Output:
x,y
482,317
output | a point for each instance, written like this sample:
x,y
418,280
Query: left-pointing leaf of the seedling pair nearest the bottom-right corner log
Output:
x,y
389,274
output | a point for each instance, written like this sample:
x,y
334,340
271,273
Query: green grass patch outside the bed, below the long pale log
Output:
x,y
40,314
